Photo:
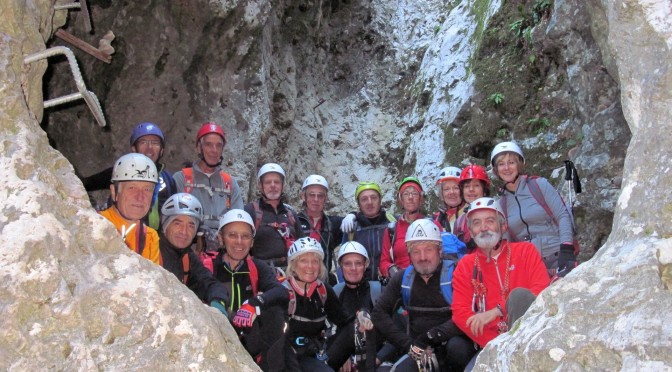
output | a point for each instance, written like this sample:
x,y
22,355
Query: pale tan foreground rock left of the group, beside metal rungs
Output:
x,y
74,297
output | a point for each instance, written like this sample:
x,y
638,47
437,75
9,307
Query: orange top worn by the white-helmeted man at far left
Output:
x,y
150,248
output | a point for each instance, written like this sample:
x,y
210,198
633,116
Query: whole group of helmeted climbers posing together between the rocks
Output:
x,y
367,291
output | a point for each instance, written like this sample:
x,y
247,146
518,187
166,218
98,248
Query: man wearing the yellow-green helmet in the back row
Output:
x,y
369,225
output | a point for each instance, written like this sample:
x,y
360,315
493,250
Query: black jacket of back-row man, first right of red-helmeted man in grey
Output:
x,y
268,243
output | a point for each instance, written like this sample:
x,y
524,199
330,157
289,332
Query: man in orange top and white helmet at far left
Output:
x,y
134,178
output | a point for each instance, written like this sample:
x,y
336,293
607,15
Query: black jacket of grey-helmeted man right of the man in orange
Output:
x,y
200,280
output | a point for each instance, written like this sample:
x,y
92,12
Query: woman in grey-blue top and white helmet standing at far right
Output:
x,y
535,210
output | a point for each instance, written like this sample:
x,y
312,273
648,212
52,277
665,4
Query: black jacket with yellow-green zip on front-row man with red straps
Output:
x,y
237,281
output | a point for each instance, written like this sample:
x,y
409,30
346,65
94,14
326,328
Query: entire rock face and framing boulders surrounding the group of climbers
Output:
x,y
352,90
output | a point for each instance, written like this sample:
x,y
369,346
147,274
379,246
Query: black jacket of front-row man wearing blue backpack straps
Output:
x,y
422,295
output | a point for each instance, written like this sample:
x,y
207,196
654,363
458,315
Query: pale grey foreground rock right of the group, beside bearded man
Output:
x,y
606,314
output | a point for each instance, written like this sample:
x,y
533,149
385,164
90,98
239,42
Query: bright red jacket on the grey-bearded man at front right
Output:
x,y
526,270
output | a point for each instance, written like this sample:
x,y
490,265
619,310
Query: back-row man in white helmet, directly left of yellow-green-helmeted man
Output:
x,y
316,223
